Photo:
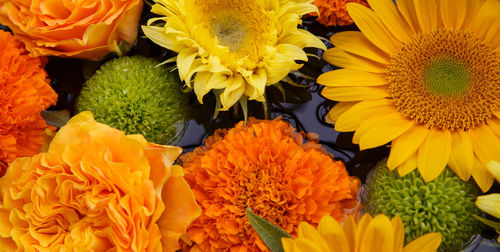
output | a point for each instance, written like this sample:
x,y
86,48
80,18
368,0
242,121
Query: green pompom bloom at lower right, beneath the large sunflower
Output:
x,y
444,205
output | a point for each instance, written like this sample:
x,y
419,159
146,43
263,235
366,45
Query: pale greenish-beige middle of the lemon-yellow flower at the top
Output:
x,y
230,31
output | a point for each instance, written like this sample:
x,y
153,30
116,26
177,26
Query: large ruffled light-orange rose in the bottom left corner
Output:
x,y
96,189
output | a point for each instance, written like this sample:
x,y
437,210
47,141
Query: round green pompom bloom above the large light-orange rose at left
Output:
x,y
131,94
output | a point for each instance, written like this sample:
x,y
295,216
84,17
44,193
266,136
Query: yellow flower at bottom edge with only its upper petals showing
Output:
x,y
377,234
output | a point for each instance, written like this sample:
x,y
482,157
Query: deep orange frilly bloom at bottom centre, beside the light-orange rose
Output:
x,y
265,166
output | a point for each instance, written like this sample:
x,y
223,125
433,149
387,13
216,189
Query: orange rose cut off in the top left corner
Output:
x,y
82,29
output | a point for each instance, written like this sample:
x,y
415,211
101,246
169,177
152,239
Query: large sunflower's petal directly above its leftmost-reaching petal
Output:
x,y
343,59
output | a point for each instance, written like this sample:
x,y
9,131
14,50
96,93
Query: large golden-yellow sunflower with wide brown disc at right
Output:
x,y
424,74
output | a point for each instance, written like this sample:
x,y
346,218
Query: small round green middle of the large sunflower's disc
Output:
x,y
447,77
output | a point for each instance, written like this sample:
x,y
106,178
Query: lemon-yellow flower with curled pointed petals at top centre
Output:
x,y
234,47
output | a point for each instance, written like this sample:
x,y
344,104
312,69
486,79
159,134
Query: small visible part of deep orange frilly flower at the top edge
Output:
x,y
334,12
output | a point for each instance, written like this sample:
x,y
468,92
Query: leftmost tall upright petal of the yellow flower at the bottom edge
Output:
x,y
333,234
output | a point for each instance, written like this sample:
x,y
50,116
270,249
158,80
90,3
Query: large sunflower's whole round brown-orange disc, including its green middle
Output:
x,y
446,79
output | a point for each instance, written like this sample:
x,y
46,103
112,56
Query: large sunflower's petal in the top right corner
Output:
x,y
486,17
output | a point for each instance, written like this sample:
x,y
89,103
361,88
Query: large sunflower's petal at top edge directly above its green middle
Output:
x,y
453,13
